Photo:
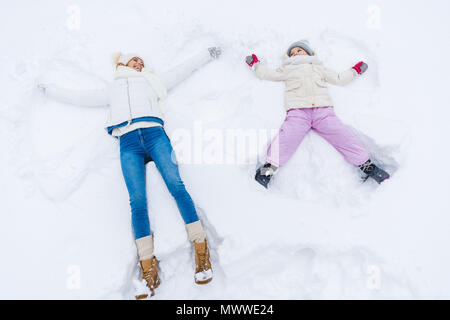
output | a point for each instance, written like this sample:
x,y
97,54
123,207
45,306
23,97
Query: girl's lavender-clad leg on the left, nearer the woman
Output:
x,y
293,130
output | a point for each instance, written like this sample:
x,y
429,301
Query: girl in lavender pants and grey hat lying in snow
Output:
x,y
309,107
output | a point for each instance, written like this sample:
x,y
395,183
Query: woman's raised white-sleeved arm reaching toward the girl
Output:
x,y
171,78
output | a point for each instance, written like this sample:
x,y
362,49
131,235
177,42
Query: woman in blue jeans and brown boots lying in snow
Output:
x,y
135,118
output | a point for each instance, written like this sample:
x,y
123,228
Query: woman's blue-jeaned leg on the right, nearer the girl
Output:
x,y
159,148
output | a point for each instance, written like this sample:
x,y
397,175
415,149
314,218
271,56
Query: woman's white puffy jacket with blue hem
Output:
x,y
131,96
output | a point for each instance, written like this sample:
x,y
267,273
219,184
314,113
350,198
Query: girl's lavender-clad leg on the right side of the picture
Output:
x,y
328,125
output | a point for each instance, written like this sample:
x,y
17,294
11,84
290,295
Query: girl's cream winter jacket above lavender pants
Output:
x,y
306,81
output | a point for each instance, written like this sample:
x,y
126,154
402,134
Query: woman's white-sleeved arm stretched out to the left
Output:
x,y
86,98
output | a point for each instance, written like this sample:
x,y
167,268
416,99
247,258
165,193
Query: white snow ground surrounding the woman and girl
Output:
x,y
65,228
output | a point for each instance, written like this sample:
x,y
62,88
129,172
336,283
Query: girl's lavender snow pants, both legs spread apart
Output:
x,y
323,121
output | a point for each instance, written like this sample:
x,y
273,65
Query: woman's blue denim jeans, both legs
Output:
x,y
137,148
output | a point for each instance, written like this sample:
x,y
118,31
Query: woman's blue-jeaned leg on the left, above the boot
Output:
x,y
133,159
